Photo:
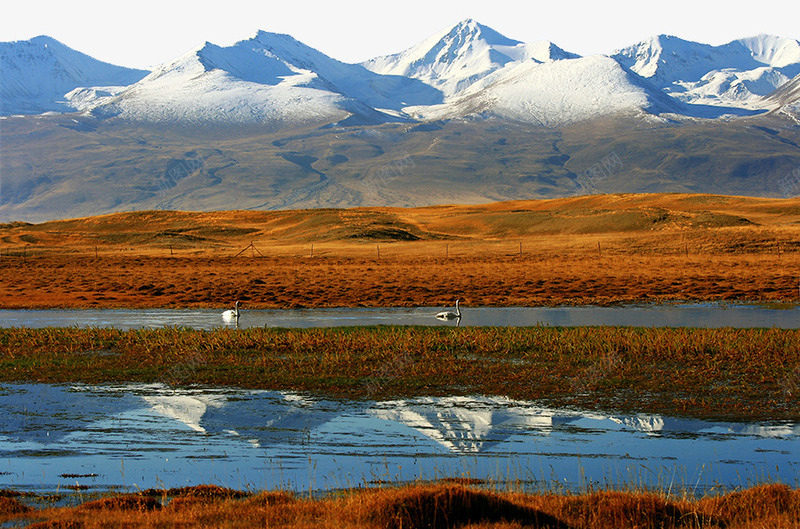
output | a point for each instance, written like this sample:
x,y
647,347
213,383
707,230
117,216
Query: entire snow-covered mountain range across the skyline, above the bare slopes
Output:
x,y
466,71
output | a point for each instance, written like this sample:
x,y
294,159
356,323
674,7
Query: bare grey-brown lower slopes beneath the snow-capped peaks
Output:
x,y
61,167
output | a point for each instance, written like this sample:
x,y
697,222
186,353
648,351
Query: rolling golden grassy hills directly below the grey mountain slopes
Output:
x,y
726,221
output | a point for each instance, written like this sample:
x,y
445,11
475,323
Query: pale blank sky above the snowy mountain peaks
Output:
x,y
145,33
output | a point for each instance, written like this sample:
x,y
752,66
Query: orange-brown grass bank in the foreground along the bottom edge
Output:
x,y
445,504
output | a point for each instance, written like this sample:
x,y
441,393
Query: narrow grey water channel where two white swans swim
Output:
x,y
661,315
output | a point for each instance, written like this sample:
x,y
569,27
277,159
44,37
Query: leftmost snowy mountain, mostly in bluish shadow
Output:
x,y
38,73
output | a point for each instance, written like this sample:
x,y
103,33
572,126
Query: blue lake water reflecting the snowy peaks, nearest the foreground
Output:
x,y
130,437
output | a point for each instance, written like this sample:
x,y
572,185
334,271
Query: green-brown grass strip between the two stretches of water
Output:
x,y
740,374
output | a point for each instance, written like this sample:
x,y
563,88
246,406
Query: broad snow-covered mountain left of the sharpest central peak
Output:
x,y
268,78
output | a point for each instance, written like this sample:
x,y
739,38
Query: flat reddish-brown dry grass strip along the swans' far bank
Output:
x,y
531,280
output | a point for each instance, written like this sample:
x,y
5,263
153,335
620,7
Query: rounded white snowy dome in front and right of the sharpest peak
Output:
x,y
557,93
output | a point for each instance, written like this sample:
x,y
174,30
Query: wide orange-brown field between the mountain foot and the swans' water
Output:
x,y
585,250
